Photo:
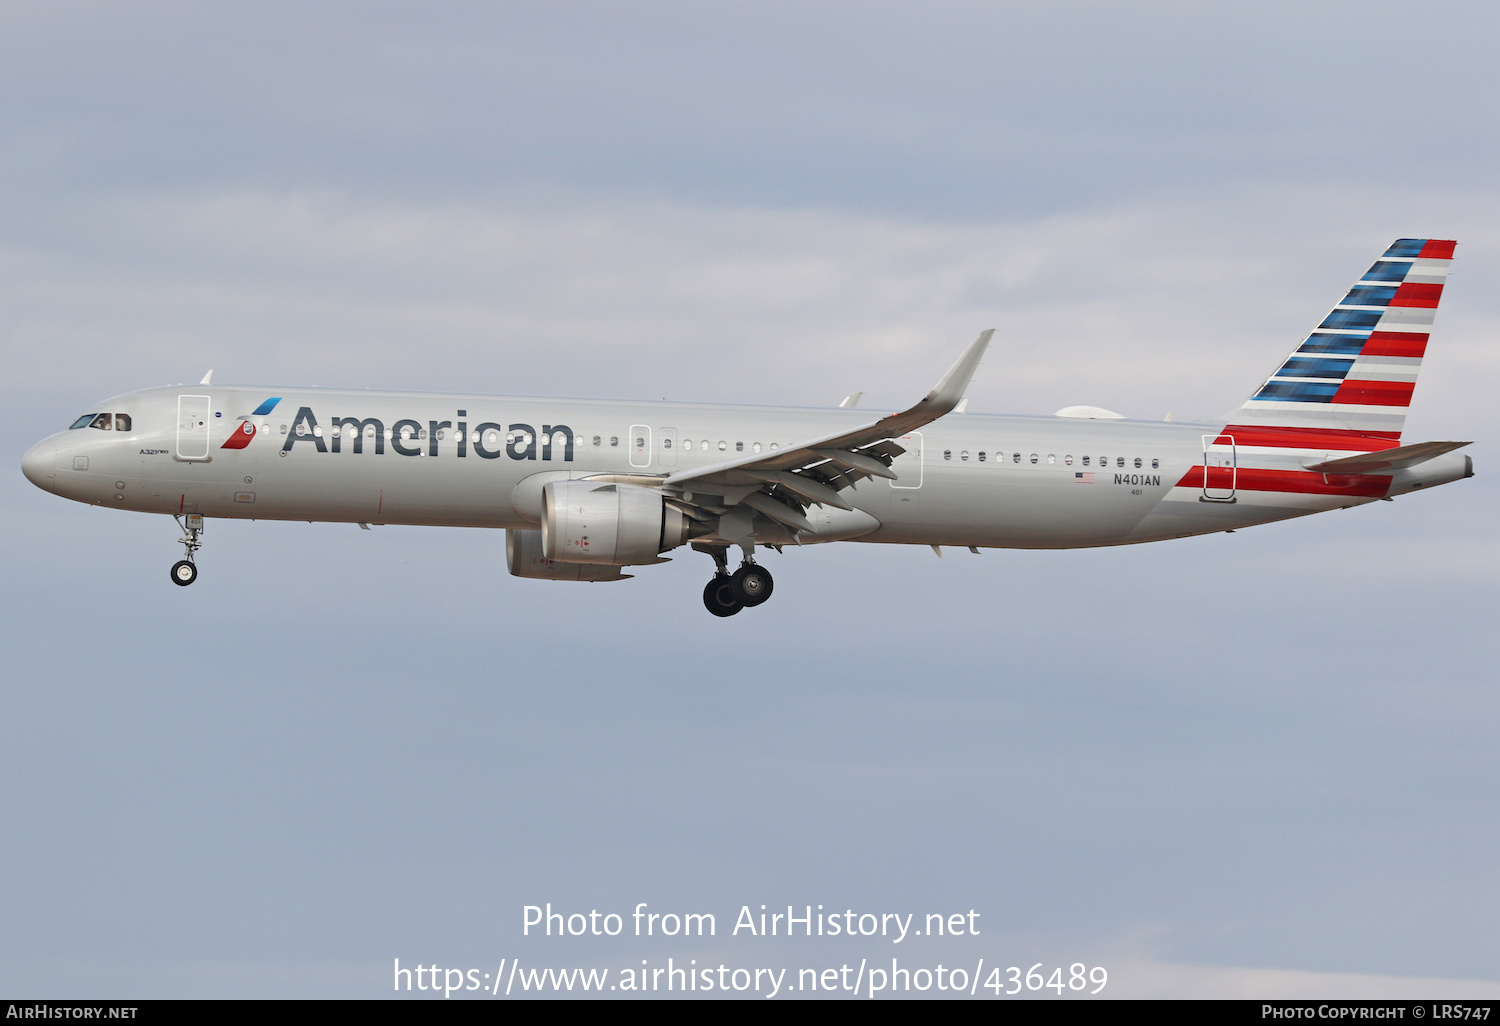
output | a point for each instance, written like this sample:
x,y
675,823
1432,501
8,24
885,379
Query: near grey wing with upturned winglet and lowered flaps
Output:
x,y
782,484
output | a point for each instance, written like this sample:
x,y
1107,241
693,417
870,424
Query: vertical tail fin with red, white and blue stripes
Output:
x,y
1351,382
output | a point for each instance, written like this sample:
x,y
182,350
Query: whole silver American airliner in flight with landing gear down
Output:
x,y
587,488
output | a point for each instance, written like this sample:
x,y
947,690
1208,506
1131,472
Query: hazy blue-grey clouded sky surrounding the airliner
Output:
x,y
1246,764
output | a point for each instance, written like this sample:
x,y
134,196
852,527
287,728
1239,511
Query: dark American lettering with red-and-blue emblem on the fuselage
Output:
x,y
407,437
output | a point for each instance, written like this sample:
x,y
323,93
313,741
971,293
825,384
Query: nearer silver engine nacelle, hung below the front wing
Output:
x,y
599,523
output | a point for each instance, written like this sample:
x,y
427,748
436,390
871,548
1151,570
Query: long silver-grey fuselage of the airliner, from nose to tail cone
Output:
x,y
400,458
